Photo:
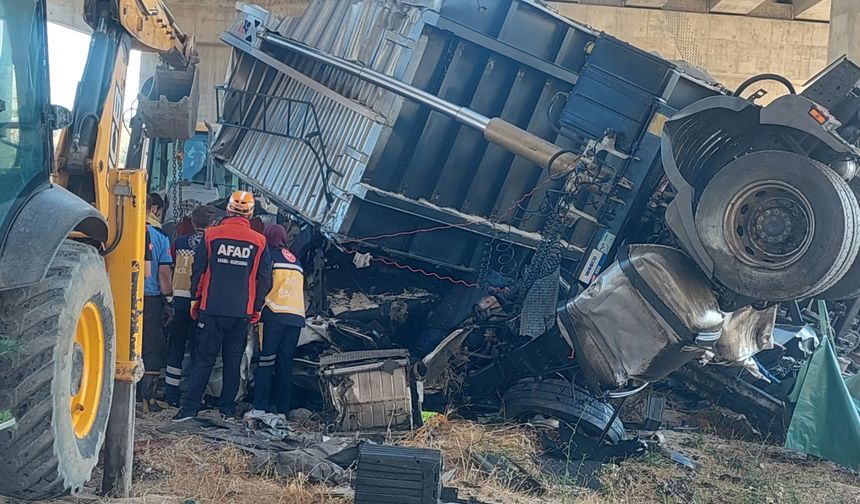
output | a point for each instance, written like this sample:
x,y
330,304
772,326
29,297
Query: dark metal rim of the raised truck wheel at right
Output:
x,y
769,225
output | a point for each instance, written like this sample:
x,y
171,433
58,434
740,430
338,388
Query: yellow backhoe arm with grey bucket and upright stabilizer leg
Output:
x,y
88,164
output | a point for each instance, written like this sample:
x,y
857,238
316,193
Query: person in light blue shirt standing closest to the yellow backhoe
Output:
x,y
156,287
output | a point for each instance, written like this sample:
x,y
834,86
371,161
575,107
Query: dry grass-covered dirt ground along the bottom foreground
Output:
x,y
187,470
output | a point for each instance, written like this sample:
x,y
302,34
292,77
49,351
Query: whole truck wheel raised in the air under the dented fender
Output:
x,y
778,226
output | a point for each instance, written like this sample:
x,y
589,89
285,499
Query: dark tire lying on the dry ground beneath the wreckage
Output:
x,y
566,402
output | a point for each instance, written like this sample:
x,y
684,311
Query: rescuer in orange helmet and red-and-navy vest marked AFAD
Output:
x,y
230,278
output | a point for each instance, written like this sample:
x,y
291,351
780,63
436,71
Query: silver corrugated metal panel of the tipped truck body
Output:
x,y
349,111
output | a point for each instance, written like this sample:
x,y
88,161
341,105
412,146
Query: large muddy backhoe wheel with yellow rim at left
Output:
x,y
57,381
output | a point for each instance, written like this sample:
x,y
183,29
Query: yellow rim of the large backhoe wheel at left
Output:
x,y
87,370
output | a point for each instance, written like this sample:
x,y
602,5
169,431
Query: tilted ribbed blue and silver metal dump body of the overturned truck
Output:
x,y
509,59
